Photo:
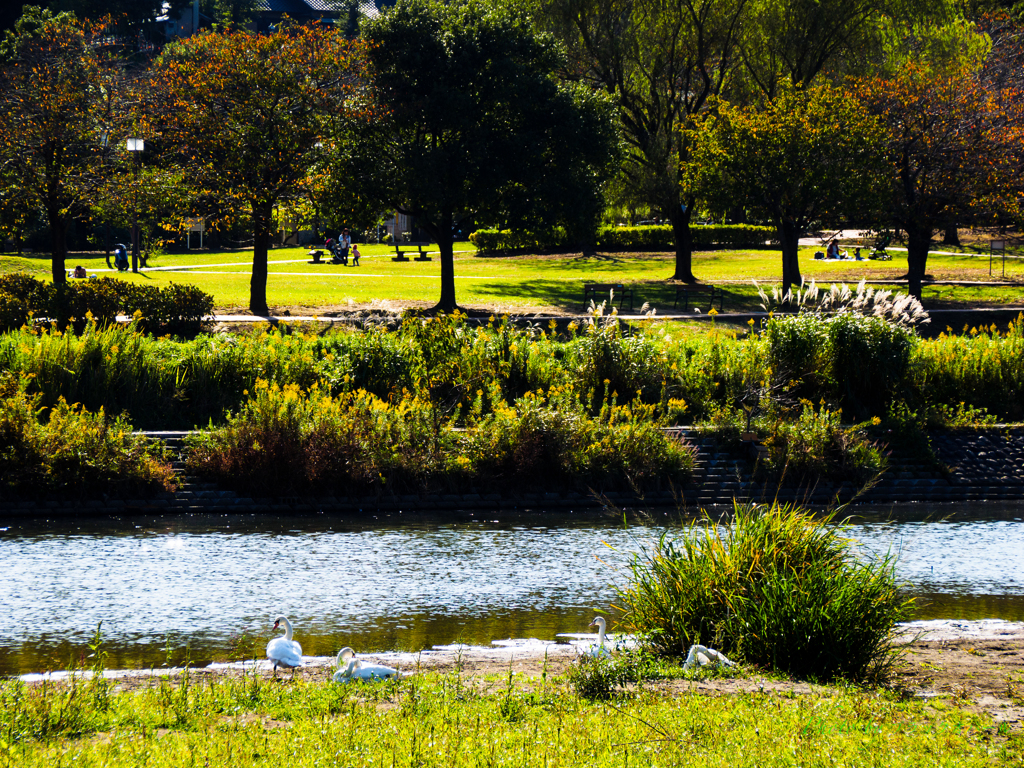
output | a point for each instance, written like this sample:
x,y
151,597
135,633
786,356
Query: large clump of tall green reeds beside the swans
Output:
x,y
776,586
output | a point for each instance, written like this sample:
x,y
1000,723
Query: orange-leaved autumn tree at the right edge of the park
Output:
x,y
955,145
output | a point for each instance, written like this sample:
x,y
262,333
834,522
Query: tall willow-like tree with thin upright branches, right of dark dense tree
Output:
x,y
661,61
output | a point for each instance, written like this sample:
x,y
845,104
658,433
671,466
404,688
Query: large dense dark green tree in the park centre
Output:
x,y
474,127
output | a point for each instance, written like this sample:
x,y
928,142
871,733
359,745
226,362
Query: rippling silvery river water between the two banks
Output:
x,y
208,588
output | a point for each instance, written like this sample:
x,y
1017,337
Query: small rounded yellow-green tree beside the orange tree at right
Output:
x,y
807,156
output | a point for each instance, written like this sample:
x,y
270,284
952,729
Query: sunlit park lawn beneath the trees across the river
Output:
x,y
529,284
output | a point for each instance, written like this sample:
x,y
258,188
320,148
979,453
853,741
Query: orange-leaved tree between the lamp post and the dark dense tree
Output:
x,y
249,115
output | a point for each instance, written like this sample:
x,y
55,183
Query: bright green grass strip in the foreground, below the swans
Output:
x,y
443,720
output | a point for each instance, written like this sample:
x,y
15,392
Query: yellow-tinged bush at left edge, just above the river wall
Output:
x,y
73,453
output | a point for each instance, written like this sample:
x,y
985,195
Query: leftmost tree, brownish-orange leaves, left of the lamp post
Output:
x,y
59,101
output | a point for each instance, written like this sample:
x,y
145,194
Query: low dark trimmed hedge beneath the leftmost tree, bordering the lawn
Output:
x,y
175,310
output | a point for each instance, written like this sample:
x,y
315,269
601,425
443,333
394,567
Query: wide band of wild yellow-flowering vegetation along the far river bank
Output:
x,y
440,405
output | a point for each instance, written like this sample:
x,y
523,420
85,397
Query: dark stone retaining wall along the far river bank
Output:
x,y
983,465
